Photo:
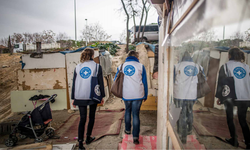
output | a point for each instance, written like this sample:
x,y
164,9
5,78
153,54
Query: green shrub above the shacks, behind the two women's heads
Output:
x,y
112,48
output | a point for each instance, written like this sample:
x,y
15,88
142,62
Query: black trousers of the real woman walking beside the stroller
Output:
x,y
83,117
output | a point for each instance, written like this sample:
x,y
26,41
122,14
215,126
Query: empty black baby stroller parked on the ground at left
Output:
x,y
34,124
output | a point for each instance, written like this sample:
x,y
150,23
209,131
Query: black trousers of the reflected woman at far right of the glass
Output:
x,y
242,112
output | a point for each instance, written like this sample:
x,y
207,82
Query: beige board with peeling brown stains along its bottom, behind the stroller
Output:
x,y
41,79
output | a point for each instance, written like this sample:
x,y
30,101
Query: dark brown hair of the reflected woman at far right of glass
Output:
x,y
236,54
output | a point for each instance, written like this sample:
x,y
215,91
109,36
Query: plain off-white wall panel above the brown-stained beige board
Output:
x,y
55,60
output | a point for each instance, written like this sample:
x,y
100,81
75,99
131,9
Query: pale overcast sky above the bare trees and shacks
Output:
x,y
58,15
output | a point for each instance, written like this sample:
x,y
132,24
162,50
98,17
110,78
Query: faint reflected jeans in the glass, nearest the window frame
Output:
x,y
185,122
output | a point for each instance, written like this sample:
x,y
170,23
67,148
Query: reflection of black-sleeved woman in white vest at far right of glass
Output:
x,y
240,72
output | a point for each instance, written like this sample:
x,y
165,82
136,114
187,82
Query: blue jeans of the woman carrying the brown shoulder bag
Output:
x,y
134,107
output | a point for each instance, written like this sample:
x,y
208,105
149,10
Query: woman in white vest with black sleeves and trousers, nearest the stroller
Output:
x,y
81,93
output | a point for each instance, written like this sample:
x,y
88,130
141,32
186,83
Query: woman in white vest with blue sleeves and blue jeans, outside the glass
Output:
x,y
135,90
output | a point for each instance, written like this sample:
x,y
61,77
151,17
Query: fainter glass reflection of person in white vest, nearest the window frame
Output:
x,y
185,93
